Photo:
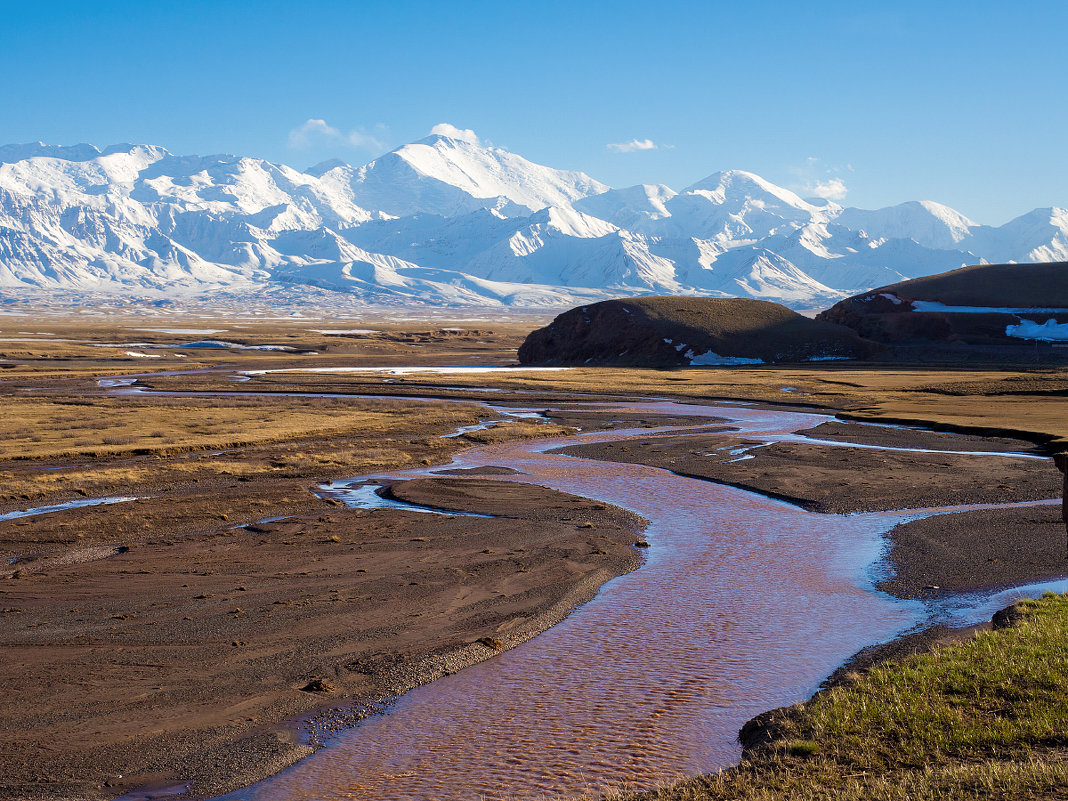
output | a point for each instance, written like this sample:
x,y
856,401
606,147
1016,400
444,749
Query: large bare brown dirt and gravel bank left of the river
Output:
x,y
177,659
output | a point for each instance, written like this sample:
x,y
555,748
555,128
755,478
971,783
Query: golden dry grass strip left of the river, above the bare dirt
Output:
x,y
183,442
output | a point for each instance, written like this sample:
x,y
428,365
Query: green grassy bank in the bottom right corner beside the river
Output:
x,y
987,719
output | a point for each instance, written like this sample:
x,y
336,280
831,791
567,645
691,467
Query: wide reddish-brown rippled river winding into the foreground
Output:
x,y
745,604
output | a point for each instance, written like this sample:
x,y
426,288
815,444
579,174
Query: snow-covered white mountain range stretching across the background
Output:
x,y
449,222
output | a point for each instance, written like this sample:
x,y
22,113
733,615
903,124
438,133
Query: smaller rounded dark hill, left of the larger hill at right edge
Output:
x,y
673,332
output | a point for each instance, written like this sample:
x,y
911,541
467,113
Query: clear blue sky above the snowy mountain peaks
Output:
x,y
963,103
